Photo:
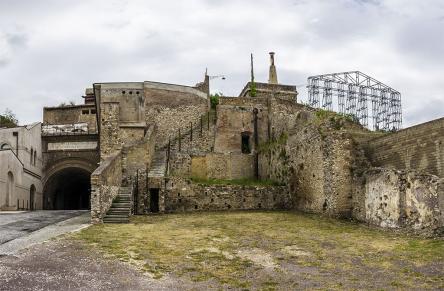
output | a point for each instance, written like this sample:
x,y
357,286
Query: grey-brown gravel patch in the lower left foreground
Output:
x,y
67,265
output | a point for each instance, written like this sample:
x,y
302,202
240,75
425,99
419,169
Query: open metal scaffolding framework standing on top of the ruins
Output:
x,y
355,93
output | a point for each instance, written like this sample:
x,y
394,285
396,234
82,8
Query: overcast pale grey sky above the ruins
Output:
x,y
50,50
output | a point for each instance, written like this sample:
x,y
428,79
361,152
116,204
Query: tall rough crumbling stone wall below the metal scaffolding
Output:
x,y
313,155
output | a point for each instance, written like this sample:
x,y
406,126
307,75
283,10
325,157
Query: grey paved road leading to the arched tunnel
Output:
x,y
14,225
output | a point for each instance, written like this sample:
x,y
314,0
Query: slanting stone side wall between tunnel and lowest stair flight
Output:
x,y
105,184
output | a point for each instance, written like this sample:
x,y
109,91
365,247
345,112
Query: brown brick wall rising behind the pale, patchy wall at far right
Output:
x,y
420,147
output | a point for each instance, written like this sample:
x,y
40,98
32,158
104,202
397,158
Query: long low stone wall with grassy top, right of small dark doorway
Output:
x,y
183,195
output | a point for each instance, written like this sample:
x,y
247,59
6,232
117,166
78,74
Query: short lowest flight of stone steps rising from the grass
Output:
x,y
120,209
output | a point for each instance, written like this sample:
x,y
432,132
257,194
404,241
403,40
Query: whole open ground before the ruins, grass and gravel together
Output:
x,y
229,250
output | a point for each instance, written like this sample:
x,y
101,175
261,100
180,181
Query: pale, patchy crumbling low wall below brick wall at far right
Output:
x,y
397,198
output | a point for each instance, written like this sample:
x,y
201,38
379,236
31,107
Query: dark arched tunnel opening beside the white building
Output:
x,y
68,189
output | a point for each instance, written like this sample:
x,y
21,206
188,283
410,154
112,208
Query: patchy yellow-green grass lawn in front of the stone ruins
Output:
x,y
271,250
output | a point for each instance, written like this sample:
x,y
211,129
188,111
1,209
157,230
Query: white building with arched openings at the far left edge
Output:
x,y
21,167
